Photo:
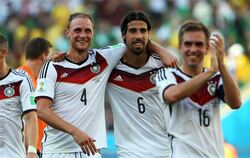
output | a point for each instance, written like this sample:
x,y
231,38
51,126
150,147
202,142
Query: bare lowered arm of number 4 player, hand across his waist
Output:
x,y
52,119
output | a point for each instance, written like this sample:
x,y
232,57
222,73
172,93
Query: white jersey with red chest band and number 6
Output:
x,y
139,124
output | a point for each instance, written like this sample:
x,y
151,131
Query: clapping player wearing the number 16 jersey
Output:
x,y
193,94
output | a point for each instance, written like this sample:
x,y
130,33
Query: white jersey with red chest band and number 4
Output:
x,y
77,92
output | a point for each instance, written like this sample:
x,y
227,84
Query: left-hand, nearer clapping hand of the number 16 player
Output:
x,y
214,61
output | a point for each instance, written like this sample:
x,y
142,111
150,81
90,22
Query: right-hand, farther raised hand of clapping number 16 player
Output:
x,y
218,44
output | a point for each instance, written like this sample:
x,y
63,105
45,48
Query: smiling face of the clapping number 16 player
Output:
x,y
193,48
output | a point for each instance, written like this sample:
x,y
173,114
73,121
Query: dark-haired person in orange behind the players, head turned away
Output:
x,y
36,52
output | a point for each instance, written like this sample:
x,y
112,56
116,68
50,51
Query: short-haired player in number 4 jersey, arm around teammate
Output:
x,y
70,94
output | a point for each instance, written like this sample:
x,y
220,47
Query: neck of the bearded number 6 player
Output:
x,y
136,60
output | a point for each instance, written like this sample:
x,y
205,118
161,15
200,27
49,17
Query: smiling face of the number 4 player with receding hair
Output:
x,y
80,34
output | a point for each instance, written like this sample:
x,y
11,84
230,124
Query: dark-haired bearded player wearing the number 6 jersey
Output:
x,y
139,123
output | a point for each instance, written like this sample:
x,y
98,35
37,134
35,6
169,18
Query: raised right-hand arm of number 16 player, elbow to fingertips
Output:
x,y
230,87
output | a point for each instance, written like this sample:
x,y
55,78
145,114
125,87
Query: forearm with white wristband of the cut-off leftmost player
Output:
x,y
31,133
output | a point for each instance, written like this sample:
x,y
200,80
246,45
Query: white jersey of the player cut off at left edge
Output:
x,y
16,99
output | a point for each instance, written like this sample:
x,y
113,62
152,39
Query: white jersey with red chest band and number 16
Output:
x,y
194,122
